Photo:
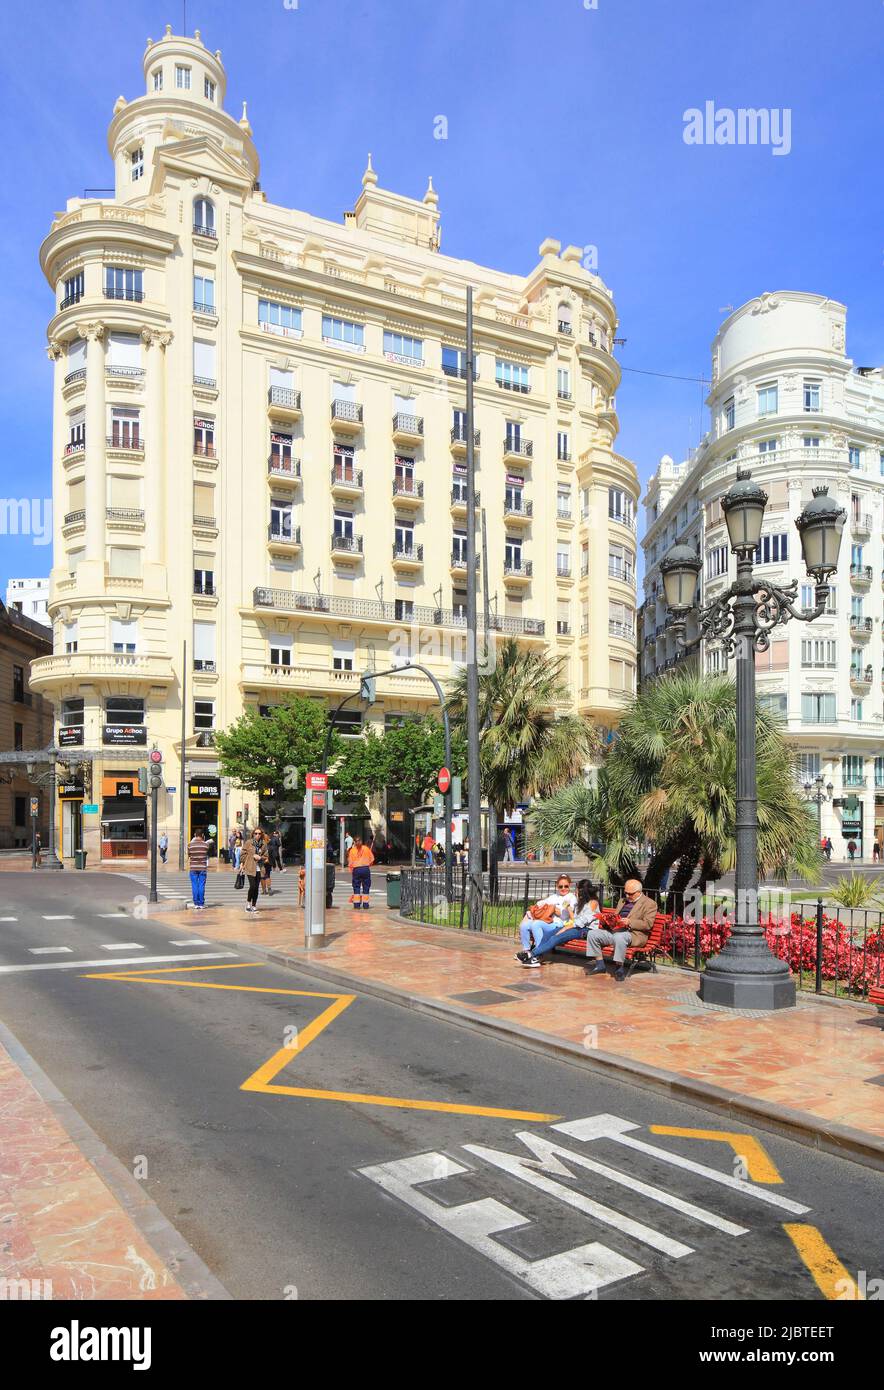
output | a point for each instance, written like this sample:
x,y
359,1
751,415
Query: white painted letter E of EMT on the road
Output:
x,y
569,1275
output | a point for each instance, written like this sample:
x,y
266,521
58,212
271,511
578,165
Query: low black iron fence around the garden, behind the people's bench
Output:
x,y
832,951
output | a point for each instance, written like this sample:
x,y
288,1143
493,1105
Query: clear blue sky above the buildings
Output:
x,y
562,122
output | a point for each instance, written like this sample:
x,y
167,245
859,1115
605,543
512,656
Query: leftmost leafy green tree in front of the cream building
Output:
x,y
261,751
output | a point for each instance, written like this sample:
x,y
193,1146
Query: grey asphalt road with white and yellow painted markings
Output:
x,y
338,1199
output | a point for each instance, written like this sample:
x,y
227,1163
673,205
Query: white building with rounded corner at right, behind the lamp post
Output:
x,y
790,405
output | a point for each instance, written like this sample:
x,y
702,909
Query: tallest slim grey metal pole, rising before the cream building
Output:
x,y
475,797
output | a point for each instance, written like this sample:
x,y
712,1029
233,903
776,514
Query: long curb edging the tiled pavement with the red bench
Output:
x,y
839,1140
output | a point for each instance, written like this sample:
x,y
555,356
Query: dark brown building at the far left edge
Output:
x,y
26,726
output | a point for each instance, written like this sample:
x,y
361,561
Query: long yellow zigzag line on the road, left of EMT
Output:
x,y
263,1079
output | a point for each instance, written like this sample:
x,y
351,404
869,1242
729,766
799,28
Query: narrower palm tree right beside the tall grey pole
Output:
x,y
527,749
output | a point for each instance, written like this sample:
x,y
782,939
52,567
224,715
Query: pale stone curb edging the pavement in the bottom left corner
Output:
x,y
181,1260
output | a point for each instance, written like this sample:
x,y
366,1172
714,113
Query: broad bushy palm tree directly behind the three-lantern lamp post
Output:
x,y
672,776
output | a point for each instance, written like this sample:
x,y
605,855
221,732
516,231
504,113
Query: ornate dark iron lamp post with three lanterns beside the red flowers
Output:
x,y
746,975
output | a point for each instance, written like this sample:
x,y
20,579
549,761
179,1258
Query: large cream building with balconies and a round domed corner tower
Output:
x,y
261,451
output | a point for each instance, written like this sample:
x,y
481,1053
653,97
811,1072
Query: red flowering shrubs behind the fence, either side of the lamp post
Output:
x,y
847,958
